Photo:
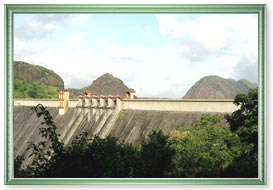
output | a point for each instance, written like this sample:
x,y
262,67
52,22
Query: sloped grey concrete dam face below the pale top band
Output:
x,y
129,125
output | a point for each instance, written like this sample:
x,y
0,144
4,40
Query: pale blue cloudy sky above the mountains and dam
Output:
x,y
159,55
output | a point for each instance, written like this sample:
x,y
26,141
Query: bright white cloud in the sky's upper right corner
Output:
x,y
210,30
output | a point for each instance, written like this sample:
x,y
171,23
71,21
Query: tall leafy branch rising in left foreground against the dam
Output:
x,y
43,153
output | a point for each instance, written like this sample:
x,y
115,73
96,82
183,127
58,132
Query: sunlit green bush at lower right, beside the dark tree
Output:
x,y
205,150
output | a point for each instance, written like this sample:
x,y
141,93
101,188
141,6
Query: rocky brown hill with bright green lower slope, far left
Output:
x,y
33,81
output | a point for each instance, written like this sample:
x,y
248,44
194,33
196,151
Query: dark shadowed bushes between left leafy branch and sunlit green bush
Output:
x,y
96,157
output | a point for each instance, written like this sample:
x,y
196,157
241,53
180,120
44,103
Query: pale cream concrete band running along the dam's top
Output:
x,y
190,105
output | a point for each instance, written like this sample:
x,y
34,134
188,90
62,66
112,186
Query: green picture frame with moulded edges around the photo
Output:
x,y
11,9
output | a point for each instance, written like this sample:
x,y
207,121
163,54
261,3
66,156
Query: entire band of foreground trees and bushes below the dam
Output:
x,y
207,149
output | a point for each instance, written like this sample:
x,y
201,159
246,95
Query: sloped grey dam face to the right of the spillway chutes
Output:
x,y
133,125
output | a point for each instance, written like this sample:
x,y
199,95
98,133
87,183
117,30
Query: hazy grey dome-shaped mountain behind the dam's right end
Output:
x,y
215,87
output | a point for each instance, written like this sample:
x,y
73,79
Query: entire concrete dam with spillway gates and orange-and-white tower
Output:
x,y
129,119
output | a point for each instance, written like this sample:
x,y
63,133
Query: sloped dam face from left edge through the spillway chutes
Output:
x,y
75,121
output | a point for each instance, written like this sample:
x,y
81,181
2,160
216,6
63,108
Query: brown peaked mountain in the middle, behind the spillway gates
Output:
x,y
107,84
